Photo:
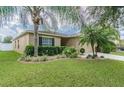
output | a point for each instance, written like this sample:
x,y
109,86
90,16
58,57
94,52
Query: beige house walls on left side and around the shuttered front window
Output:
x,y
28,39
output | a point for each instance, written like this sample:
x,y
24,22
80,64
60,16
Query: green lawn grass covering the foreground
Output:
x,y
70,72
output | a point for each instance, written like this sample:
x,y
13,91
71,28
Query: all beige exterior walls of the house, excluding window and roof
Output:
x,y
21,42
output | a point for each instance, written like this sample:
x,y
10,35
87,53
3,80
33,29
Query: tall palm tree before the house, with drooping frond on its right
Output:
x,y
37,19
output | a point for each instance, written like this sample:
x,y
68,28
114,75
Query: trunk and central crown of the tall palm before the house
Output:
x,y
37,20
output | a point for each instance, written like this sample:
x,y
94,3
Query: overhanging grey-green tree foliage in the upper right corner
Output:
x,y
107,15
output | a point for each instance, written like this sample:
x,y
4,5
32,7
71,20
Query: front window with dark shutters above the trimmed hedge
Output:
x,y
46,41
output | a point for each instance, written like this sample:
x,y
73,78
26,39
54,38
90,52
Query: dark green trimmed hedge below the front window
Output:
x,y
44,50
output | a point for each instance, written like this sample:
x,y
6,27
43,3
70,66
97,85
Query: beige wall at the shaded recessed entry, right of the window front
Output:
x,y
74,42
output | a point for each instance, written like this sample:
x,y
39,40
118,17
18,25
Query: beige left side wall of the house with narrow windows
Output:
x,y
22,42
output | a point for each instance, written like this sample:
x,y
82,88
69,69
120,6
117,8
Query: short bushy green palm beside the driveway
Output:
x,y
98,36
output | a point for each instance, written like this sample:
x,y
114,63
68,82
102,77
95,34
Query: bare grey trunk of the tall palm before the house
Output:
x,y
36,26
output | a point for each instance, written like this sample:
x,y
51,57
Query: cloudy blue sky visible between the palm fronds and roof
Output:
x,y
14,28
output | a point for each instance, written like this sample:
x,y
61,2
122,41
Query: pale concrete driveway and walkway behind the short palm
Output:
x,y
109,56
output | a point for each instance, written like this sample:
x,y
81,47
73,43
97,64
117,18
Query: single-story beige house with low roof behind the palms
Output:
x,y
47,38
